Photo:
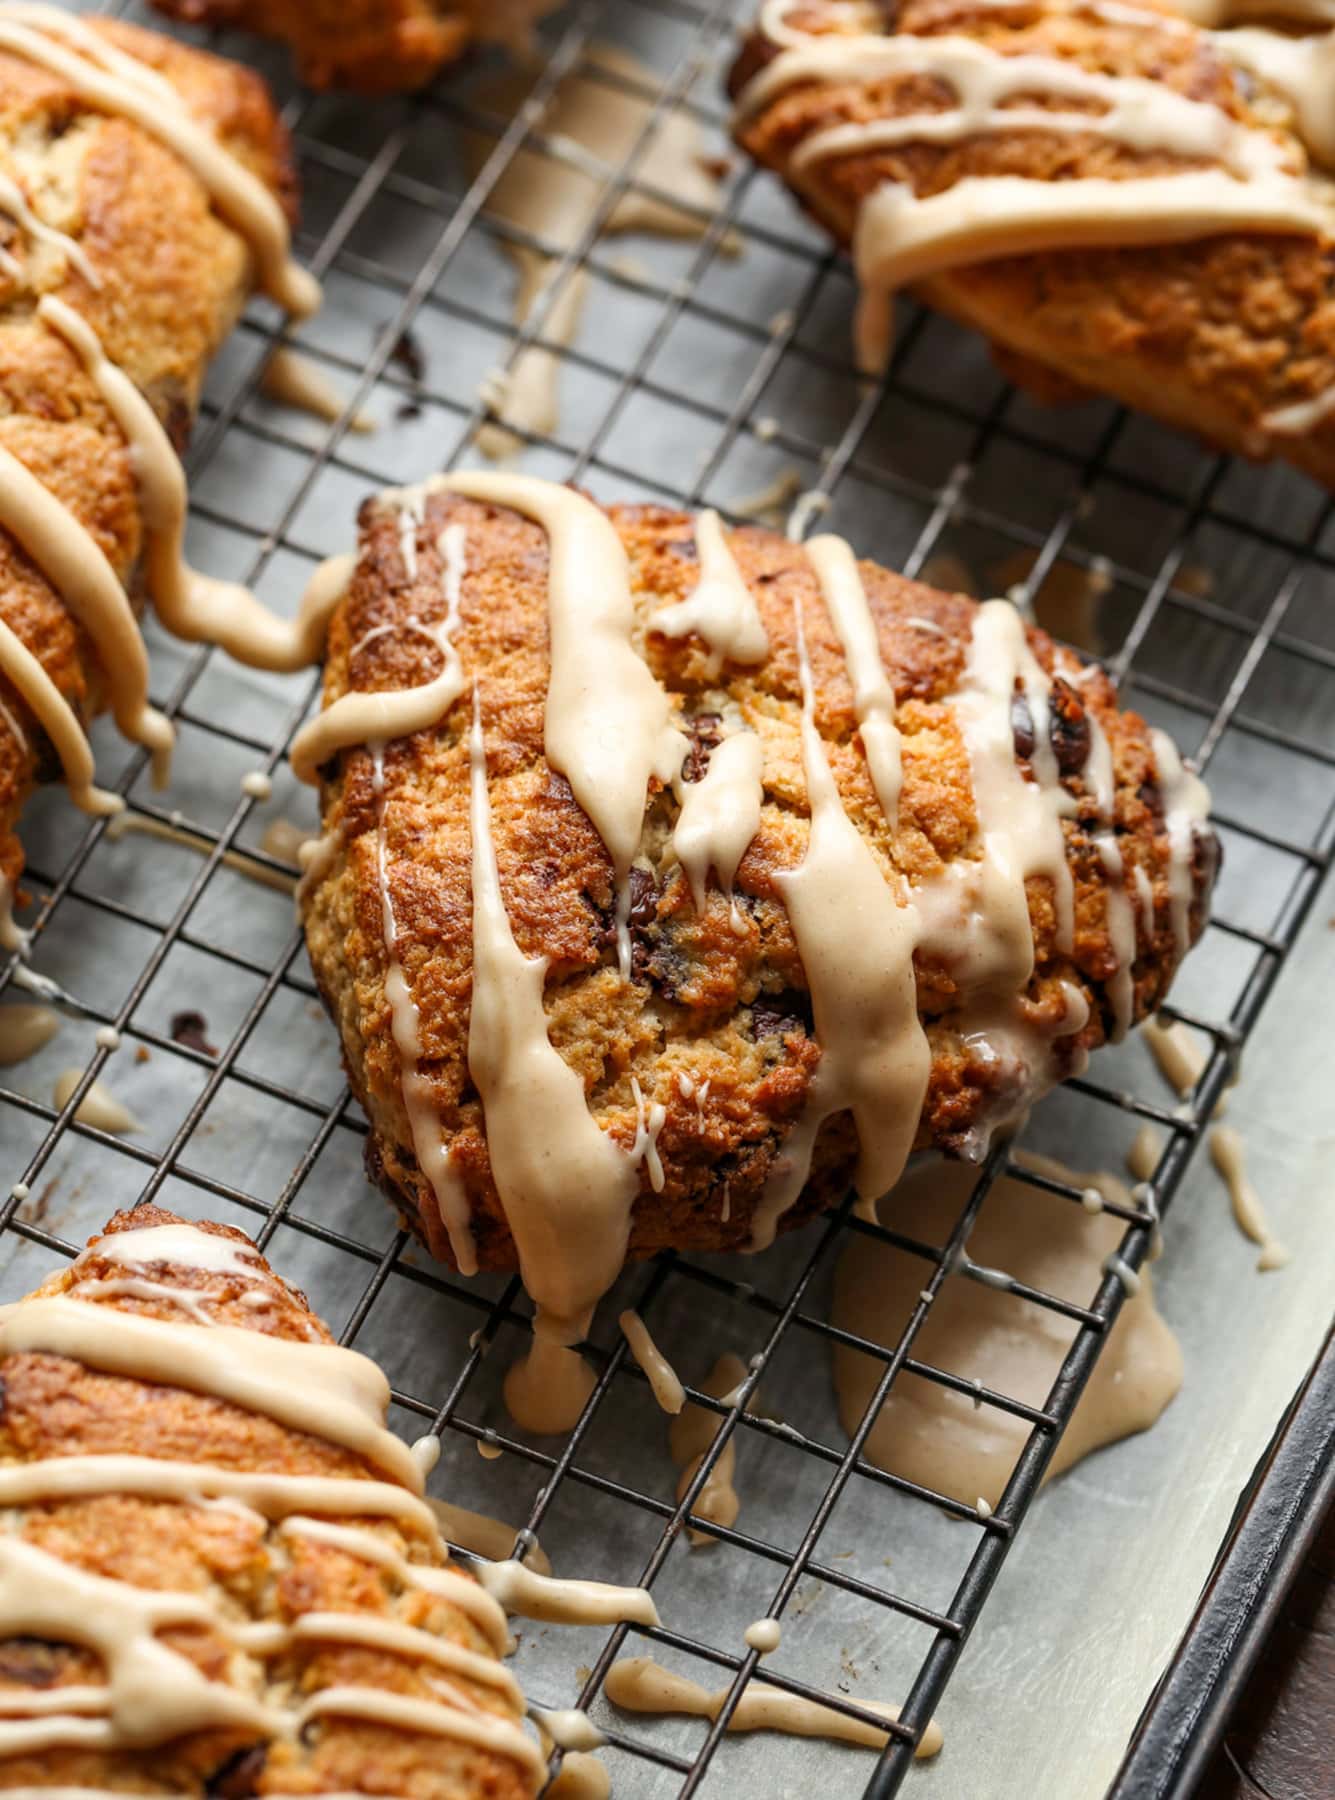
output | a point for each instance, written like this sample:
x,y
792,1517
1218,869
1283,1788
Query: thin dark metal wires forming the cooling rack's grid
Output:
x,y
926,487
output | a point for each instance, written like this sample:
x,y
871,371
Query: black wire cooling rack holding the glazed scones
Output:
x,y
701,373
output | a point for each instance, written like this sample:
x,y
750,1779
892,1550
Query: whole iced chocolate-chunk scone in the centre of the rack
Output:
x,y
674,877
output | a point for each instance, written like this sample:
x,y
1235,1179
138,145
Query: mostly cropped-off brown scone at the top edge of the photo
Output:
x,y
370,46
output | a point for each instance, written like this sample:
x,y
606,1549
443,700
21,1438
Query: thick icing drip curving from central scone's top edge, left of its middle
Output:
x,y
609,726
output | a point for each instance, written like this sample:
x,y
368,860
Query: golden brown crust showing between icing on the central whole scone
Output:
x,y
704,1003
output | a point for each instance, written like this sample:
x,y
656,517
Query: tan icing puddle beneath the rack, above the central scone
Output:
x,y
555,202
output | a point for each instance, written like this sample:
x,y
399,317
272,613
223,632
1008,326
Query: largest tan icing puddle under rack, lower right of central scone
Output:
x,y
927,1434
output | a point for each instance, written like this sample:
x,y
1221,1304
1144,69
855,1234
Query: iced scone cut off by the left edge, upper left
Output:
x,y
145,192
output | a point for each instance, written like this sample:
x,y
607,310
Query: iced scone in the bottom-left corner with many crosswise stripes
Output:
x,y
220,1574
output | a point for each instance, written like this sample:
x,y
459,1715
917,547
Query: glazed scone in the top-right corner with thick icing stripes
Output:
x,y
1120,201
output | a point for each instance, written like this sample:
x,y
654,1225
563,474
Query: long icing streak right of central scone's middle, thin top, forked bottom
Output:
x,y
857,946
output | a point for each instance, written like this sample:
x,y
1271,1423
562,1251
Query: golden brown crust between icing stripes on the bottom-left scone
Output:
x,y
55,1407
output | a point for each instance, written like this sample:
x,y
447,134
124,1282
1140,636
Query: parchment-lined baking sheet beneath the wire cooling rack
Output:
x,y
1111,1560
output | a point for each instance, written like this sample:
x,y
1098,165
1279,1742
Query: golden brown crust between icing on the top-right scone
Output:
x,y
1206,336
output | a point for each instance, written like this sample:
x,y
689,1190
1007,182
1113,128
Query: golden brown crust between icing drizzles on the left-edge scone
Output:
x,y
174,280
